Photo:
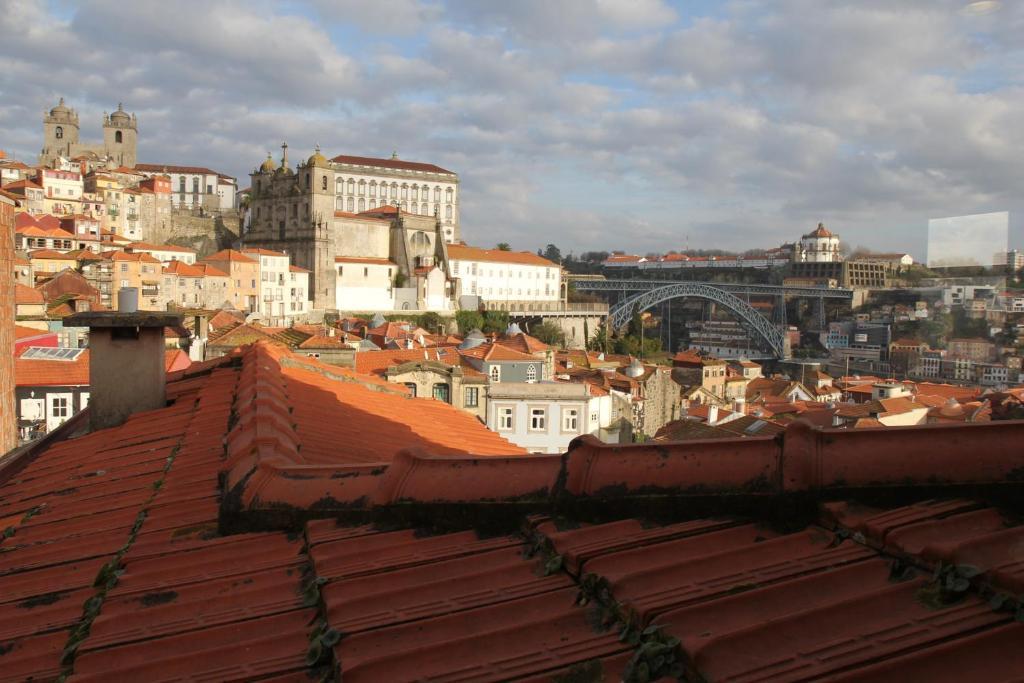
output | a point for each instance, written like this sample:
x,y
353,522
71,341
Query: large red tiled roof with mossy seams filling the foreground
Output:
x,y
123,545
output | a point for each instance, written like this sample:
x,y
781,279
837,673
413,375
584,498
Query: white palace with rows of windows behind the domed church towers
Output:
x,y
364,183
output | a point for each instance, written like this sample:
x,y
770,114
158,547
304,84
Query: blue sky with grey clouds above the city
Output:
x,y
644,125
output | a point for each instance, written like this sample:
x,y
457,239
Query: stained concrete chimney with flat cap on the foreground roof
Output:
x,y
126,362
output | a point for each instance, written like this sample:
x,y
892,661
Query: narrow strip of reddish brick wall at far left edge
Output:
x,y
9,424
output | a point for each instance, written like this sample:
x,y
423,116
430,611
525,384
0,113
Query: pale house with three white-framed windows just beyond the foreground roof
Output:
x,y
544,417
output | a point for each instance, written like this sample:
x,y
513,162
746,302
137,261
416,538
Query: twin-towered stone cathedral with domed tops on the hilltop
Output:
x,y
61,131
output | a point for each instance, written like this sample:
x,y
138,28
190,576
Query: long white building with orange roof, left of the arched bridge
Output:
x,y
505,280
